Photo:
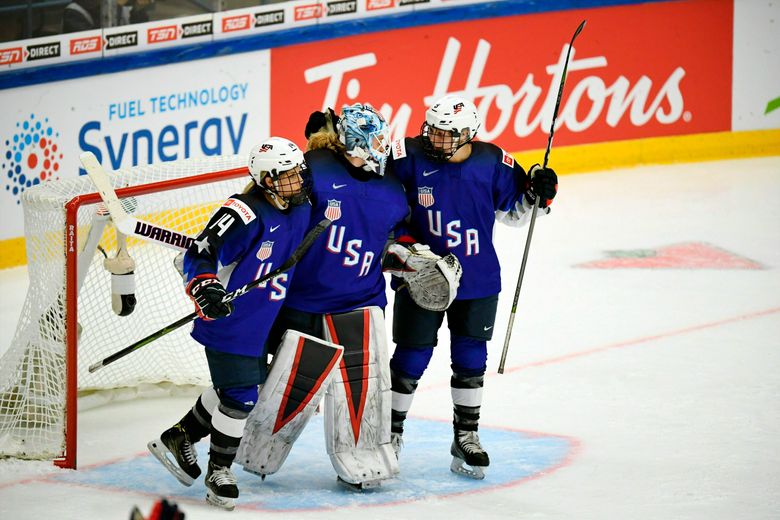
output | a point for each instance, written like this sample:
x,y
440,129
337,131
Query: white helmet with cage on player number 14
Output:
x,y
274,158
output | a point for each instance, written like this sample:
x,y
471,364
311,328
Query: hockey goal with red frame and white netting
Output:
x,y
67,323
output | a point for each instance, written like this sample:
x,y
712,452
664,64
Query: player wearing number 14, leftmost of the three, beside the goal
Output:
x,y
249,234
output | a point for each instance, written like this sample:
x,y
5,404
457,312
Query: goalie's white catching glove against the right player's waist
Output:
x,y
432,280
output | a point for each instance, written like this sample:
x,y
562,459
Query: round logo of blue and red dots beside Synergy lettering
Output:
x,y
30,156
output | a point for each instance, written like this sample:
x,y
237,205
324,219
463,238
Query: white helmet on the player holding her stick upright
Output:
x,y
457,122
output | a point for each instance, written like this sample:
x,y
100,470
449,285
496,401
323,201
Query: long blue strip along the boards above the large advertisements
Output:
x,y
325,31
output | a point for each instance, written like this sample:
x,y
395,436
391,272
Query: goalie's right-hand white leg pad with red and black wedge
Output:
x,y
358,400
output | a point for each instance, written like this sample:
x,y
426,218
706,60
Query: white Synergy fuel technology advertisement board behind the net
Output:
x,y
217,106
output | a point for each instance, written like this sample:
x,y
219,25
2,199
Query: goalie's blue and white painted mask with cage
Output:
x,y
365,134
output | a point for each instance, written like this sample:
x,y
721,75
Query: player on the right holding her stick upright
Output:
x,y
457,188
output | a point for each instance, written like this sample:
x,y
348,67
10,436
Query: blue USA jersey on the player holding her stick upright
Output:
x,y
454,207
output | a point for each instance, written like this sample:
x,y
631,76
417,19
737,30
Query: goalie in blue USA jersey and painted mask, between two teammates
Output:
x,y
338,293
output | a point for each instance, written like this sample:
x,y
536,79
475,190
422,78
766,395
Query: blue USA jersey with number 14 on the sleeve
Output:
x,y
246,238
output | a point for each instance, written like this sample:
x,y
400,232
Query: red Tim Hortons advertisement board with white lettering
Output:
x,y
636,71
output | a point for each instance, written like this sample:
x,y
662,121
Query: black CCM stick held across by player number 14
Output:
x,y
296,255
